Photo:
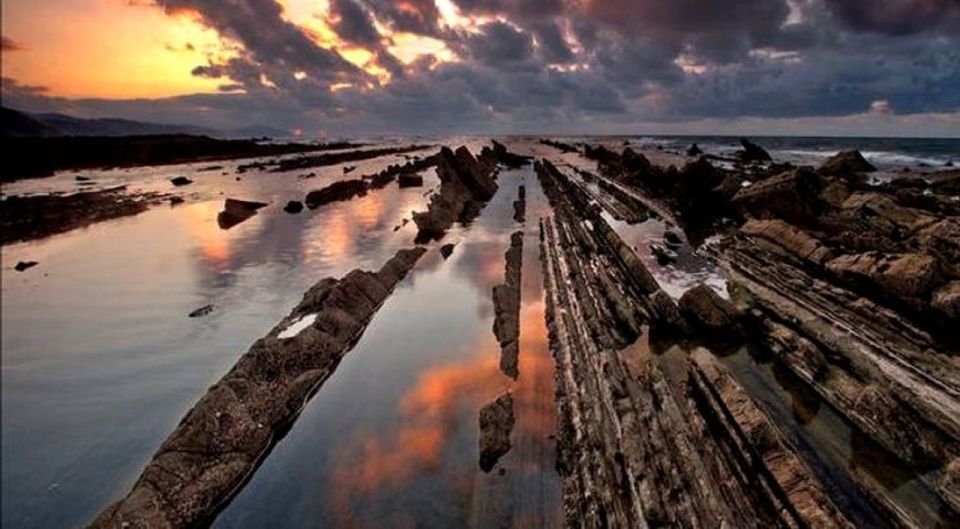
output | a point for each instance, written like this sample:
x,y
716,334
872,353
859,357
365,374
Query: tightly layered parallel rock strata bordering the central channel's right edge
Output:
x,y
650,440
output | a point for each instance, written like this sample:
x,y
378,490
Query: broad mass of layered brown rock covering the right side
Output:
x,y
849,287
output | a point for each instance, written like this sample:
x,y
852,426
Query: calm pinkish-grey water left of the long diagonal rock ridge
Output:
x,y
100,360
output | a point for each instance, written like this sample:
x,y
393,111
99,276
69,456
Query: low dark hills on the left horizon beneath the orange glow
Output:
x,y
14,123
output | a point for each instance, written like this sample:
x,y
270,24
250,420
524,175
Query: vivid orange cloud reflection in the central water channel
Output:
x,y
433,409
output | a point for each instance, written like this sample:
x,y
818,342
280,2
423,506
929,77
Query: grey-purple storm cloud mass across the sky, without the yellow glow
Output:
x,y
562,64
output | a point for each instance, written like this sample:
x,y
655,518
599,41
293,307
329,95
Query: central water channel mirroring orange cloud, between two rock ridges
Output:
x,y
391,438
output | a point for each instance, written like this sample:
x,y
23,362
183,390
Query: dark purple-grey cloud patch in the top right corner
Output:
x,y
898,17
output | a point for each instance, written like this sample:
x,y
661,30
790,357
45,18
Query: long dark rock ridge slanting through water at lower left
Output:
x,y
213,450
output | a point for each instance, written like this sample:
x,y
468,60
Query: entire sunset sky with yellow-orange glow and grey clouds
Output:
x,y
352,67
